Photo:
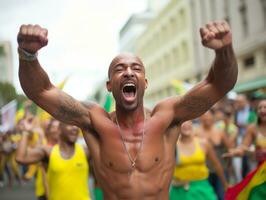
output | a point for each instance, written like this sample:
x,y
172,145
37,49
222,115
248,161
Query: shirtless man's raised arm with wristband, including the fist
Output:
x,y
36,84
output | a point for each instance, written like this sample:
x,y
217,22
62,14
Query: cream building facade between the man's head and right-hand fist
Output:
x,y
166,48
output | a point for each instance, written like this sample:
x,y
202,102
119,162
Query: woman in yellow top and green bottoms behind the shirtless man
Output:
x,y
190,179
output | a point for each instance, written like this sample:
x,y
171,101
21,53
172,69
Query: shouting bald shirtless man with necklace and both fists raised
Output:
x,y
133,151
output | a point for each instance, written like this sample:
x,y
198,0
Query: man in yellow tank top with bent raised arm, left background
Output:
x,y
67,165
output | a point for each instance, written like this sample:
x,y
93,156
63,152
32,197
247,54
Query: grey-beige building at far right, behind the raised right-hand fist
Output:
x,y
247,19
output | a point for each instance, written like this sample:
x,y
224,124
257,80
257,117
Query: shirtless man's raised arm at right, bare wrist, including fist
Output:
x,y
221,78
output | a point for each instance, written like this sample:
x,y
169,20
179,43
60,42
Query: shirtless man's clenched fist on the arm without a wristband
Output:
x,y
216,35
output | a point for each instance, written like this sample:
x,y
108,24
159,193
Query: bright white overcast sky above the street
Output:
x,y
83,37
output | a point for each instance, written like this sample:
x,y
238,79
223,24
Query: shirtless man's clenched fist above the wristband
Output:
x,y
31,38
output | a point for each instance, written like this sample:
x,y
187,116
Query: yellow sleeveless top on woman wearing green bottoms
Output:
x,y
192,167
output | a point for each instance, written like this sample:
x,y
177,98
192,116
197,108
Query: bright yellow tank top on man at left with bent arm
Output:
x,y
68,178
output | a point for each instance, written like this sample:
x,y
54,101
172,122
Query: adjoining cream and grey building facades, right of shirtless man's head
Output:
x,y
171,48
